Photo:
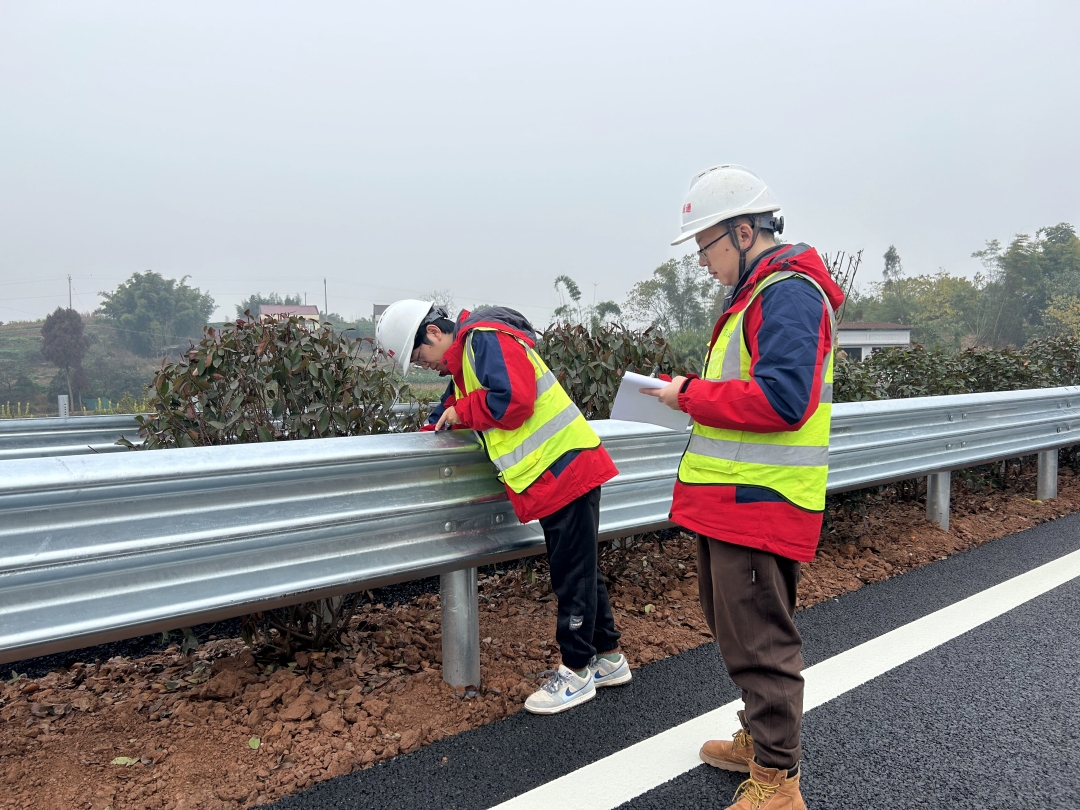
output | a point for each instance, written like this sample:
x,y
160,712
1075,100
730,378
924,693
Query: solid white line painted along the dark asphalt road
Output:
x,y
649,764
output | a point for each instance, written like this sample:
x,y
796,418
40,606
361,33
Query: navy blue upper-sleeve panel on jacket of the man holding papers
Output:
x,y
788,346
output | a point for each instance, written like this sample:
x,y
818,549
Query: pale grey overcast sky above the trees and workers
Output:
x,y
487,148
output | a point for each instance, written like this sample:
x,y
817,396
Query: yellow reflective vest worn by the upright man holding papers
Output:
x,y
792,464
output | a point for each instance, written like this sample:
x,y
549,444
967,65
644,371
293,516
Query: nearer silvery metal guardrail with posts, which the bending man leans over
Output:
x,y
99,548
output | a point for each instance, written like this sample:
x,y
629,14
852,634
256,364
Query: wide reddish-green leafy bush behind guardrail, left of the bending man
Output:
x,y
271,382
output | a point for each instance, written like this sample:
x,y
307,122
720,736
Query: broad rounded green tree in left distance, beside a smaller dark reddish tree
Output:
x,y
151,313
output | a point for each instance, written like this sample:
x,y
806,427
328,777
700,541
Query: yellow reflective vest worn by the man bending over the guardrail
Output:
x,y
556,427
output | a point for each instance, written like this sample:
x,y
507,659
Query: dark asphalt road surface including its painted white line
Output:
x,y
953,686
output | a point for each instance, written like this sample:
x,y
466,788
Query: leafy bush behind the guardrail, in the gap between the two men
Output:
x,y
590,363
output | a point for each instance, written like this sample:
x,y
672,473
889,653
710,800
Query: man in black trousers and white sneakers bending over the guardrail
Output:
x,y
549,458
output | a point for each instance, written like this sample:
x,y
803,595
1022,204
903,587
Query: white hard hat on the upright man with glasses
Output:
x,y
723,193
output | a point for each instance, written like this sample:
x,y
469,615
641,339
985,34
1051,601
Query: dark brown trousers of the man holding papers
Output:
x,y
749,601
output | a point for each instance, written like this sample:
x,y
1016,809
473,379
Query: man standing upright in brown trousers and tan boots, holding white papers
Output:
x,y
752,482
